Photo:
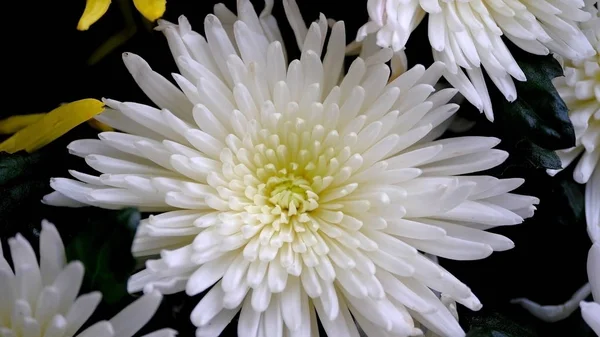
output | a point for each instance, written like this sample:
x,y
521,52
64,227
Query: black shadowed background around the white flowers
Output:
x,y
45,64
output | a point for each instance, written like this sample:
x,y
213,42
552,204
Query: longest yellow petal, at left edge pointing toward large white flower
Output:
x,y
52,125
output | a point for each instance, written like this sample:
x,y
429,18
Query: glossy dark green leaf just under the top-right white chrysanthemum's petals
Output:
x,y
538,114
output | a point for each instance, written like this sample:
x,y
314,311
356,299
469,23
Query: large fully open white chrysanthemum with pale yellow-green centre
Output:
x,y
291,191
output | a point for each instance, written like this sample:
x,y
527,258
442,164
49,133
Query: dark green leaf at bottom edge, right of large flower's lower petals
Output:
x,y
497,325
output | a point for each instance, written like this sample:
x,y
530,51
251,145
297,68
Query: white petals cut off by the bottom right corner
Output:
x,y
591,310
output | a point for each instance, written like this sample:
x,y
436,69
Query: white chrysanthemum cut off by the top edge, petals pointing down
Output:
x,y
468,34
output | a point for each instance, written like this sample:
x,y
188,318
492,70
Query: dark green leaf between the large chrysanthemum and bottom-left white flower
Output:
x,y
104,247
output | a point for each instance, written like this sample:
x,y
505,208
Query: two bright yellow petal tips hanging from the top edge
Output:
x,y
95,9
